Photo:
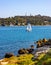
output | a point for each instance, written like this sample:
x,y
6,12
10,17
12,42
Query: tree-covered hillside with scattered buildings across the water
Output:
x,y
24,20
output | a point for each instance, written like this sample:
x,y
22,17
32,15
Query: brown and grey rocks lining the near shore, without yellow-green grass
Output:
x,y
43,46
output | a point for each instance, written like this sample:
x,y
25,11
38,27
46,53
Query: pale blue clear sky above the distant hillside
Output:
x,y
9,8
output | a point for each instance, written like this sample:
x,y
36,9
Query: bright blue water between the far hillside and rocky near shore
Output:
x,y
16,37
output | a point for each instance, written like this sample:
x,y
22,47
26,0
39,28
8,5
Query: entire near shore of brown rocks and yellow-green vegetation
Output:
x,y
30,56
